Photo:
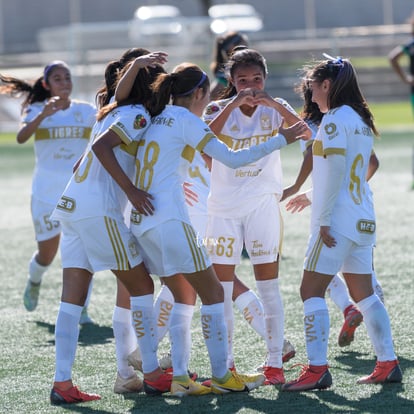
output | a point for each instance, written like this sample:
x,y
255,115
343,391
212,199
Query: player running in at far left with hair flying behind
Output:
x,y
61,127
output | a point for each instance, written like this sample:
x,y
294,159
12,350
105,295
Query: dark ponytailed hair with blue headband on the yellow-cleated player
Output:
x,y
180,84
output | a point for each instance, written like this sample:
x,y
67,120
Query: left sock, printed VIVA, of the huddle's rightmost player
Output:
x,y
316,329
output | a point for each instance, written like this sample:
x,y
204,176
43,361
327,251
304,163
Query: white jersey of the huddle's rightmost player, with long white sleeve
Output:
x,y
343,132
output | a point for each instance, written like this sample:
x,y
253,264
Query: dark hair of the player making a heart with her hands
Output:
x,y
242,57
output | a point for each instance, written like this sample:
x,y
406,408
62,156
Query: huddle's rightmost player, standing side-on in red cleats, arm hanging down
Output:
x,y
344,235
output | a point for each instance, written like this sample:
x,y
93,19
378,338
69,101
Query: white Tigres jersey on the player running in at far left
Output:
x,y
59,142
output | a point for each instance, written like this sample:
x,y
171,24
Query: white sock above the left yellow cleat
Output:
x,y
180,336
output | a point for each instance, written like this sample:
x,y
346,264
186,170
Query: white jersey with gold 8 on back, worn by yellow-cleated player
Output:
x,y
173,135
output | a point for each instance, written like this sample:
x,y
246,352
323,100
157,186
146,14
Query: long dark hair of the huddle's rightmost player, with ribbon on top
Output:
x,y
344,87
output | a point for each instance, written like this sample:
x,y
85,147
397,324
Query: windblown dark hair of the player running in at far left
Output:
x,y
35,92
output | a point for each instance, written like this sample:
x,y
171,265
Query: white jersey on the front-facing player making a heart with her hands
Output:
x,y
234,192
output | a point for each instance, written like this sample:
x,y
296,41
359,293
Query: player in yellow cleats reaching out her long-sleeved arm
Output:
x,y
167,240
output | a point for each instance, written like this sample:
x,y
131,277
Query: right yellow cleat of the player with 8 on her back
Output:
x,y
234,382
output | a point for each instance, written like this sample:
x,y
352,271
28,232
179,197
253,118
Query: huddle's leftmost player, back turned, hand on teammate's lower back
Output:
x,y
95,236
